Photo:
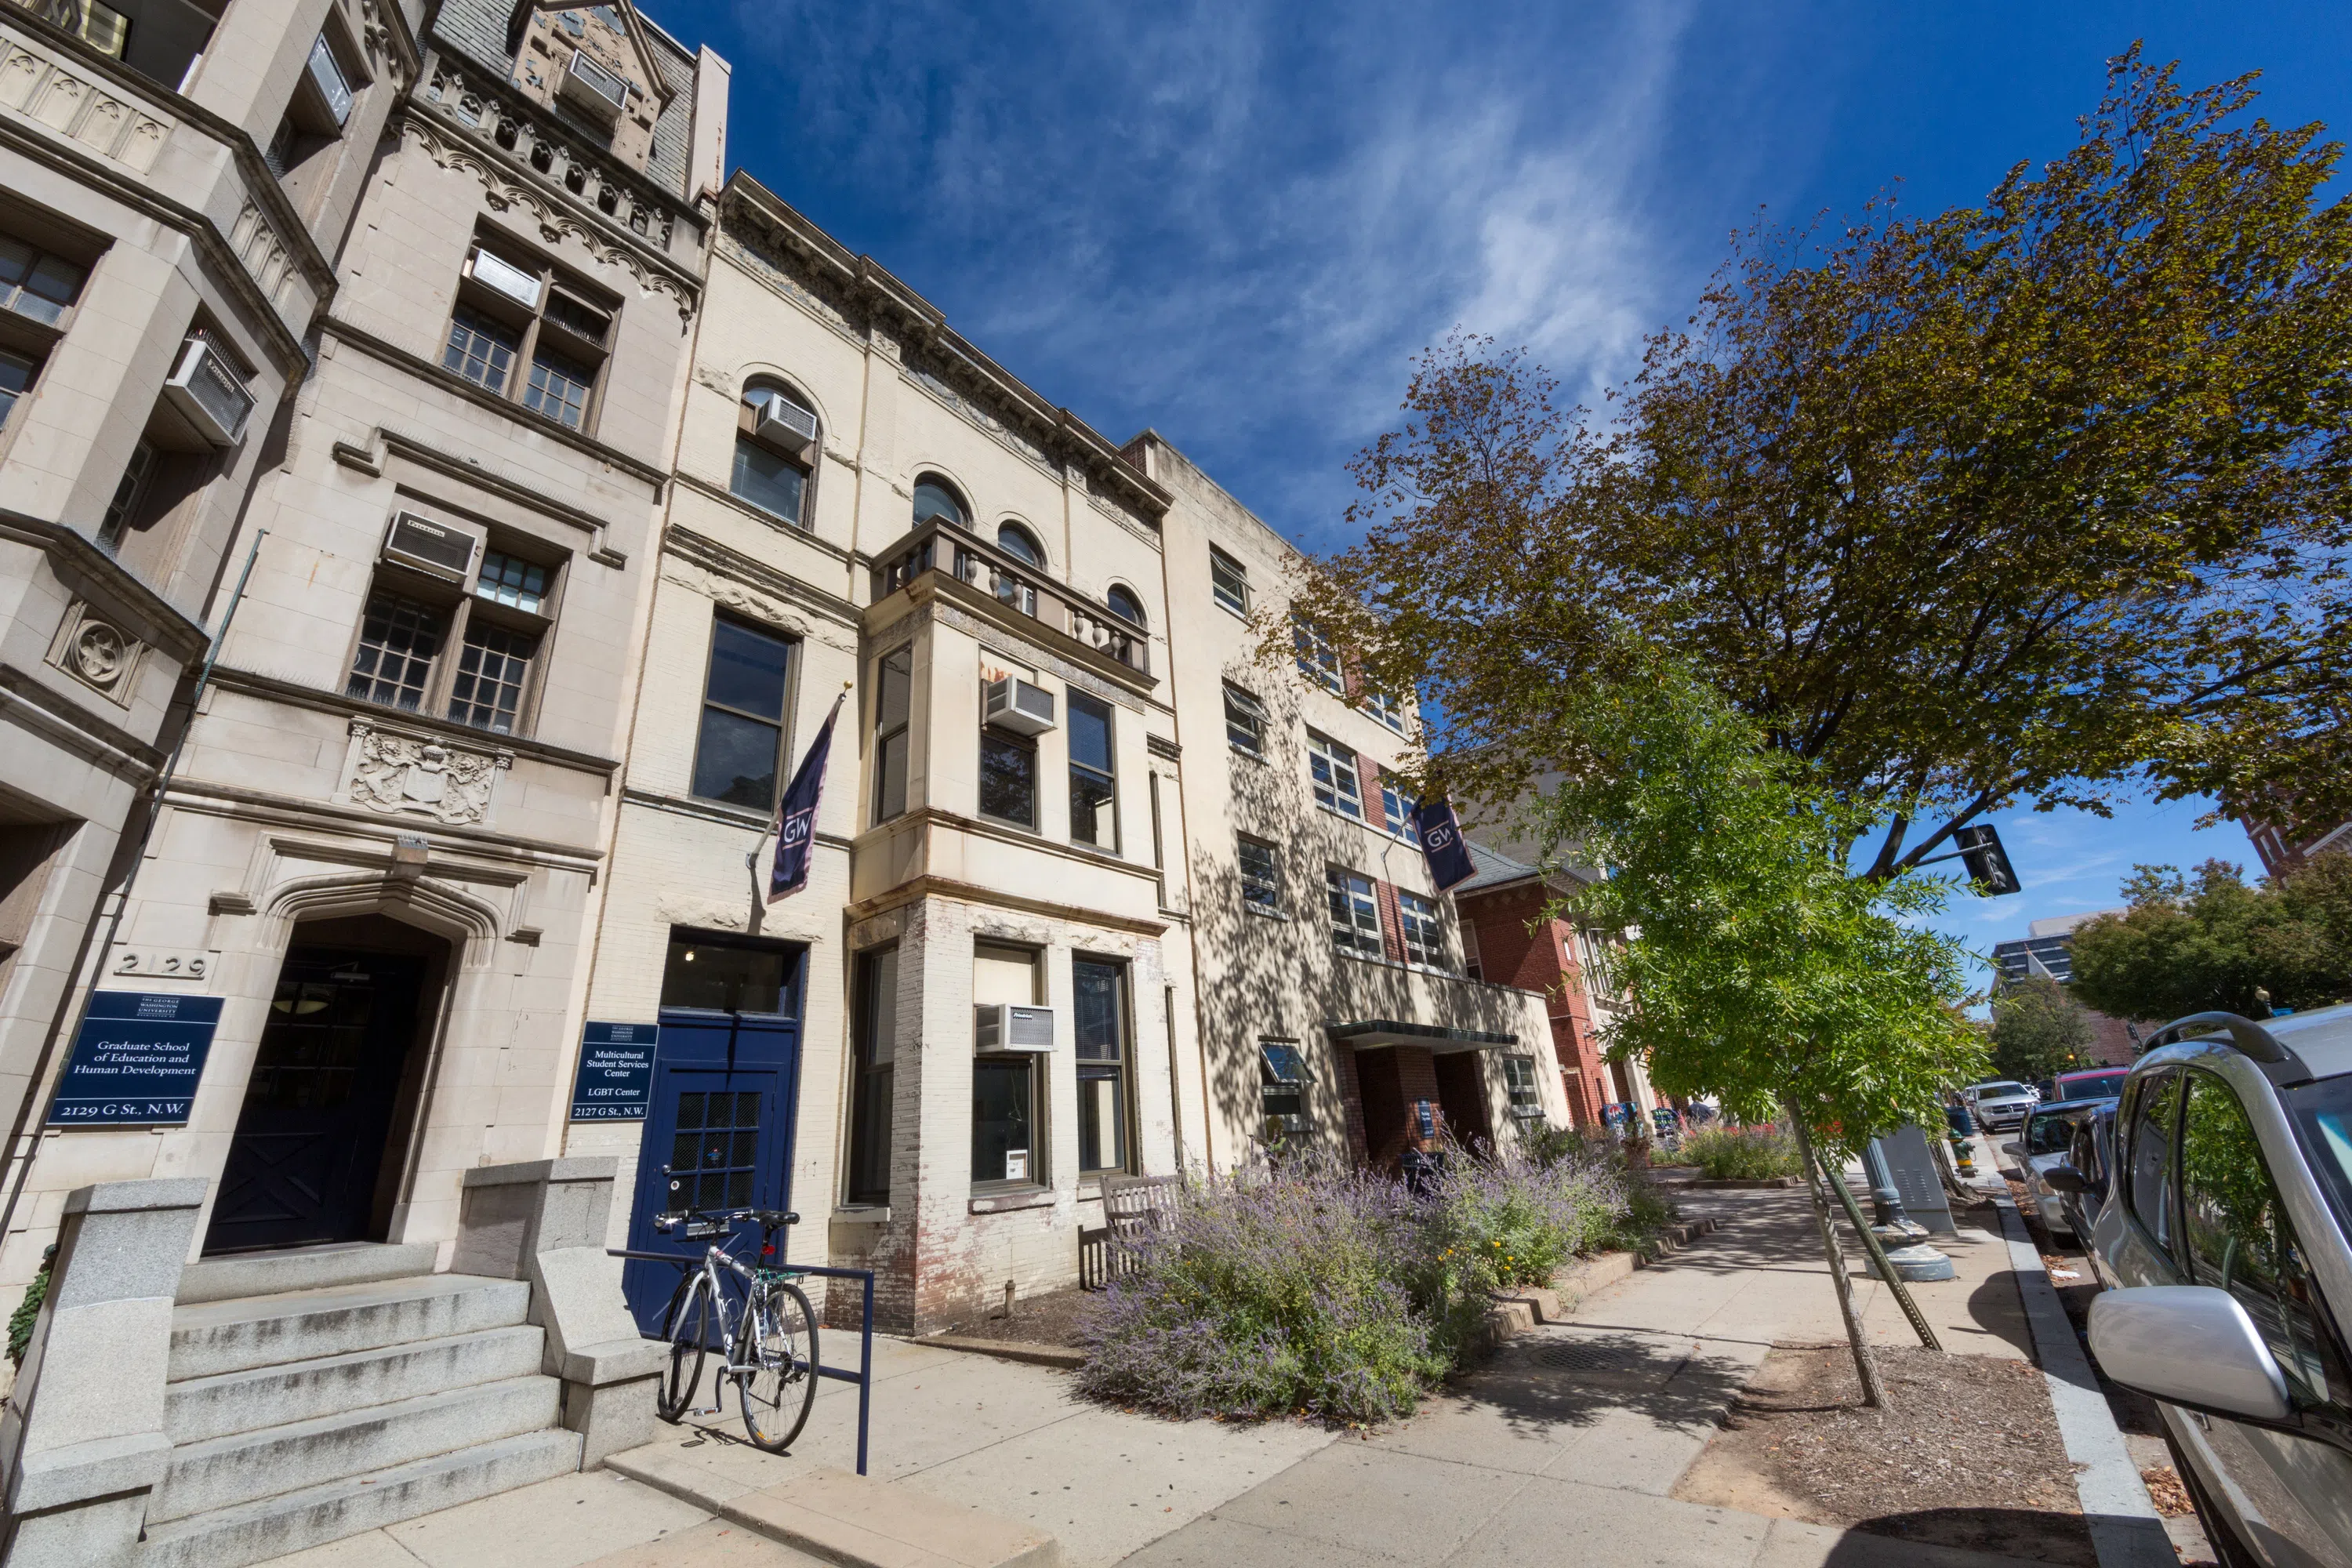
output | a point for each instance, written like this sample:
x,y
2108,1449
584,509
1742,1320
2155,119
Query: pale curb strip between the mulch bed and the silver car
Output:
x,y
2125,1525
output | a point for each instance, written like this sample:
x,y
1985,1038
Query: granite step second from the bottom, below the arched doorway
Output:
x,y
246,1468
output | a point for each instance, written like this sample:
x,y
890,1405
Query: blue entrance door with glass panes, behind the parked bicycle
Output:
x,y
719,1134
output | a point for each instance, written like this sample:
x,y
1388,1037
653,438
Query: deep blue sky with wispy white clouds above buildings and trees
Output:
x,y
1238,222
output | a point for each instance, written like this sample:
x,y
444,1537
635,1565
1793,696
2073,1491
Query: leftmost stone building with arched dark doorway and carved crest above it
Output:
x,y
382,850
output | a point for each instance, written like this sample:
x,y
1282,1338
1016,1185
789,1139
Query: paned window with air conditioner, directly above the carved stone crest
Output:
x,y
465,650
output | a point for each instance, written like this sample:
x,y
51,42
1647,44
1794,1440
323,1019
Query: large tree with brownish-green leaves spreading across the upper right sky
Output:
x,y
2040,500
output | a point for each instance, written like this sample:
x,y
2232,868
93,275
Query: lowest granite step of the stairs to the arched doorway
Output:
x,y
333,1510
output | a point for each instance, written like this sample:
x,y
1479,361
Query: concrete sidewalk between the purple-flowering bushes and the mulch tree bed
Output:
x,y
1570,1440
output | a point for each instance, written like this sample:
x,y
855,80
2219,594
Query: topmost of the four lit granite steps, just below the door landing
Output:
x,y
234,1336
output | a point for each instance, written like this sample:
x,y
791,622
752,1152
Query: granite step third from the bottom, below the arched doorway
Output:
x,y
199,1409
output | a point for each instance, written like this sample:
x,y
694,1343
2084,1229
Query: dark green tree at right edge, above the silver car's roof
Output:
x,y
2212,944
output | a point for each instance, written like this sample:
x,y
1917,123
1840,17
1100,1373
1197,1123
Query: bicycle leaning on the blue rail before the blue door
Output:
x,y
759,1339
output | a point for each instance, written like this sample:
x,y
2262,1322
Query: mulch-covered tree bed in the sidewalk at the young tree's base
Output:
x,y
1965,1454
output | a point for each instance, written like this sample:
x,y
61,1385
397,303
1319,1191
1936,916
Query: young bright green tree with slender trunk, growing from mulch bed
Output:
x,y
1763,972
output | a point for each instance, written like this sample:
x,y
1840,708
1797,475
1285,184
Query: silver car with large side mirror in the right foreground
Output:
x,y
2233,1278
